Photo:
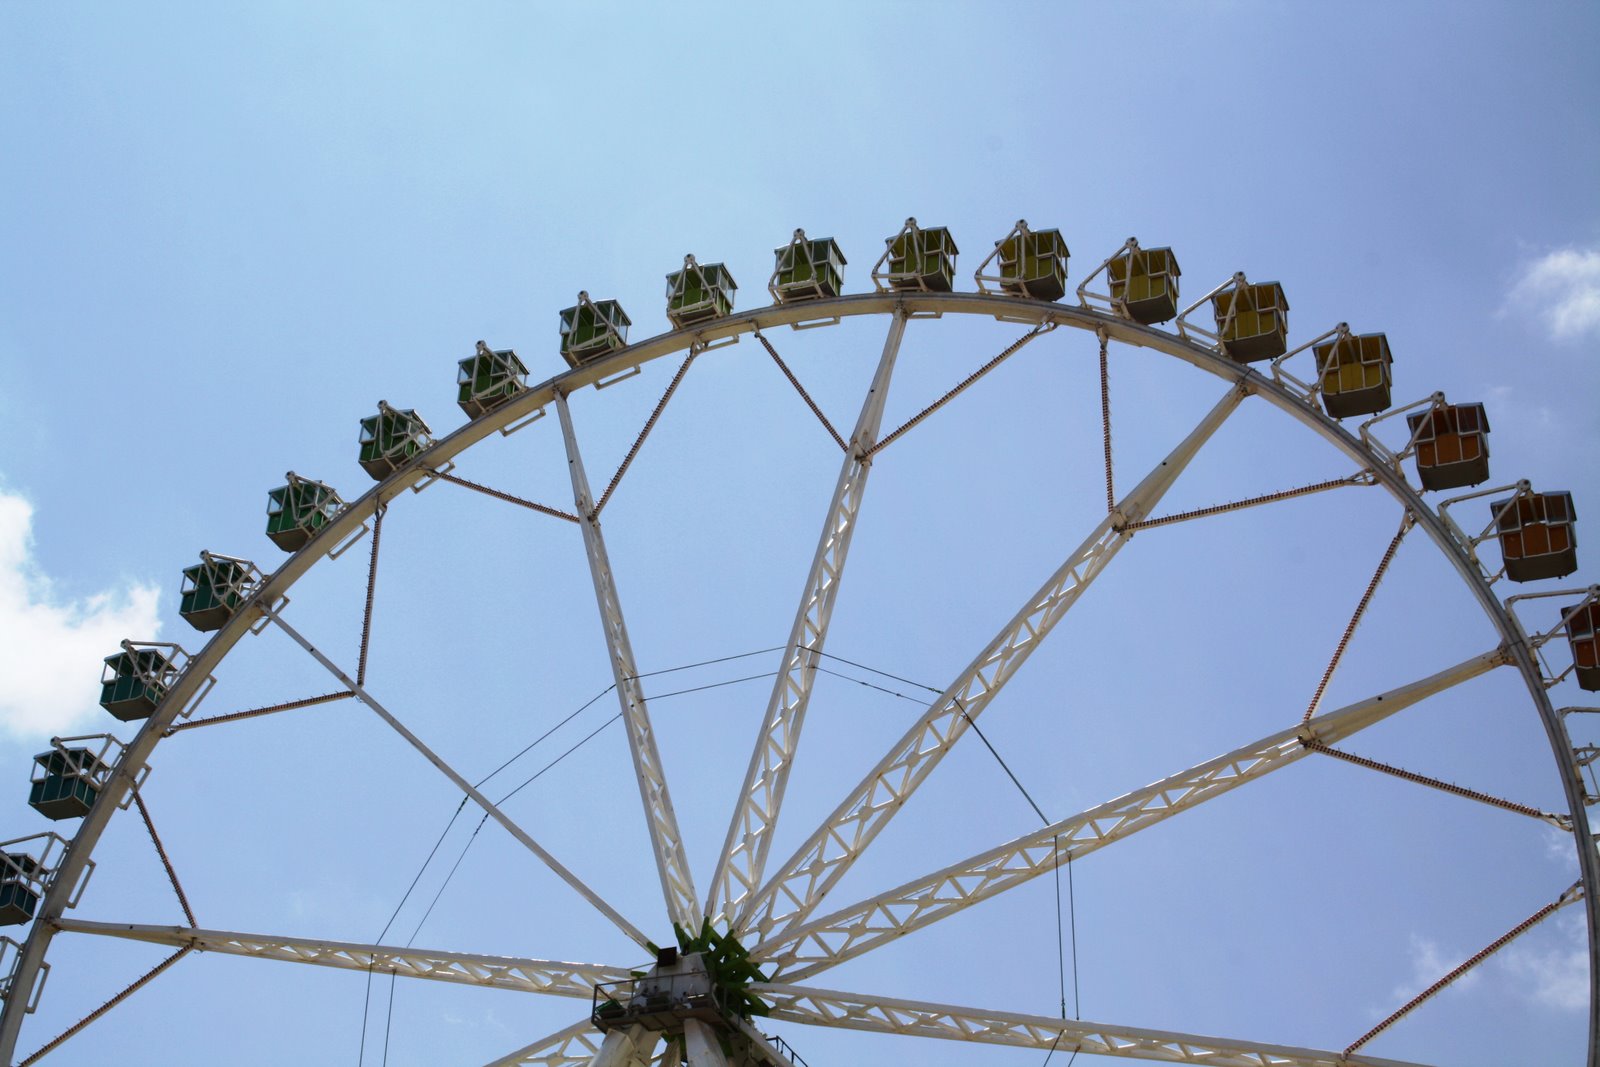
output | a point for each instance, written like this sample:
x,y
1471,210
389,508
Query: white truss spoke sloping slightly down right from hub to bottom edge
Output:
x,y
882,1015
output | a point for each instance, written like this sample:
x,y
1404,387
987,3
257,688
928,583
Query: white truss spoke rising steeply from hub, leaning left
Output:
x,y
678,884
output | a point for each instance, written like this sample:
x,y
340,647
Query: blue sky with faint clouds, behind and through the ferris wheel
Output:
x,y
225,238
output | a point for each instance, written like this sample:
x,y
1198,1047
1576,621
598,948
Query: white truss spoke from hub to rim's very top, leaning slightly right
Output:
x,y
756,817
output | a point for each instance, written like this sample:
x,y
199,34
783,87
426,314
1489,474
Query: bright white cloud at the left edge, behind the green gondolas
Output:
x,y
52,650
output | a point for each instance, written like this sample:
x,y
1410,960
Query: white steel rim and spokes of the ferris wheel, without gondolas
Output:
x,y
777,921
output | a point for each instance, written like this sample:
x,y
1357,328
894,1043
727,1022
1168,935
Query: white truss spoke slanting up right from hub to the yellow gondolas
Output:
x,y
825,858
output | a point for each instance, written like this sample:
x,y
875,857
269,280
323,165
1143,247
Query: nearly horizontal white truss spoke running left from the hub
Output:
x,y
463,969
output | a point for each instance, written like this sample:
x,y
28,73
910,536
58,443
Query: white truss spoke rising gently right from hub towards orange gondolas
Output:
x,y
860,929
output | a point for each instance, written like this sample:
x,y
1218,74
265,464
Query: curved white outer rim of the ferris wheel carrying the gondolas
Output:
x,y
532,402
